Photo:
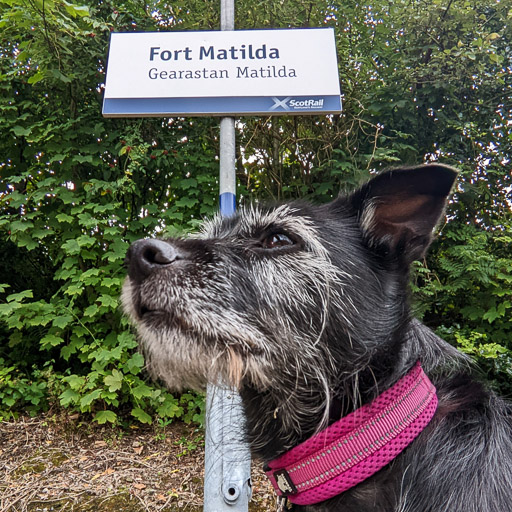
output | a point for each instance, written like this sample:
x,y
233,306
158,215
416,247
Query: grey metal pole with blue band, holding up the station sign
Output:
x,y
227,484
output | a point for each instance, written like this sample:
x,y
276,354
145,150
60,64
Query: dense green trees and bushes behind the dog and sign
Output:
x,y
421,81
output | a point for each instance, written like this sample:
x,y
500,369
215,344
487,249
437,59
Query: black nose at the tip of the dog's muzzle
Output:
x,y
146,256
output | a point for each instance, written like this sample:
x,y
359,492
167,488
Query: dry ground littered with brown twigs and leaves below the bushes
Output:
x,y
62,464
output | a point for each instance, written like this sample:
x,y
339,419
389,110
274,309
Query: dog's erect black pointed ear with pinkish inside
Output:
x,y
399,209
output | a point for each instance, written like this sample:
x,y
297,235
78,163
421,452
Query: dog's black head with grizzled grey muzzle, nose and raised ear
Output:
x,y
290,297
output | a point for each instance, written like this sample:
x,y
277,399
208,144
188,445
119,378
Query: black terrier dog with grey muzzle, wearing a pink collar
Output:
x,y
353,405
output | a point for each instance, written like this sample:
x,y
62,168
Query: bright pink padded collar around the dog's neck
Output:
x,y
357,446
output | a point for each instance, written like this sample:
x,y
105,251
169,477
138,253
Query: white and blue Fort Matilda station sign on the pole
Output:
x,y
243,72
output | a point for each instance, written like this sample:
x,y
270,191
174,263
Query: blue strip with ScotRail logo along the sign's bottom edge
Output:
x,y
118,107
